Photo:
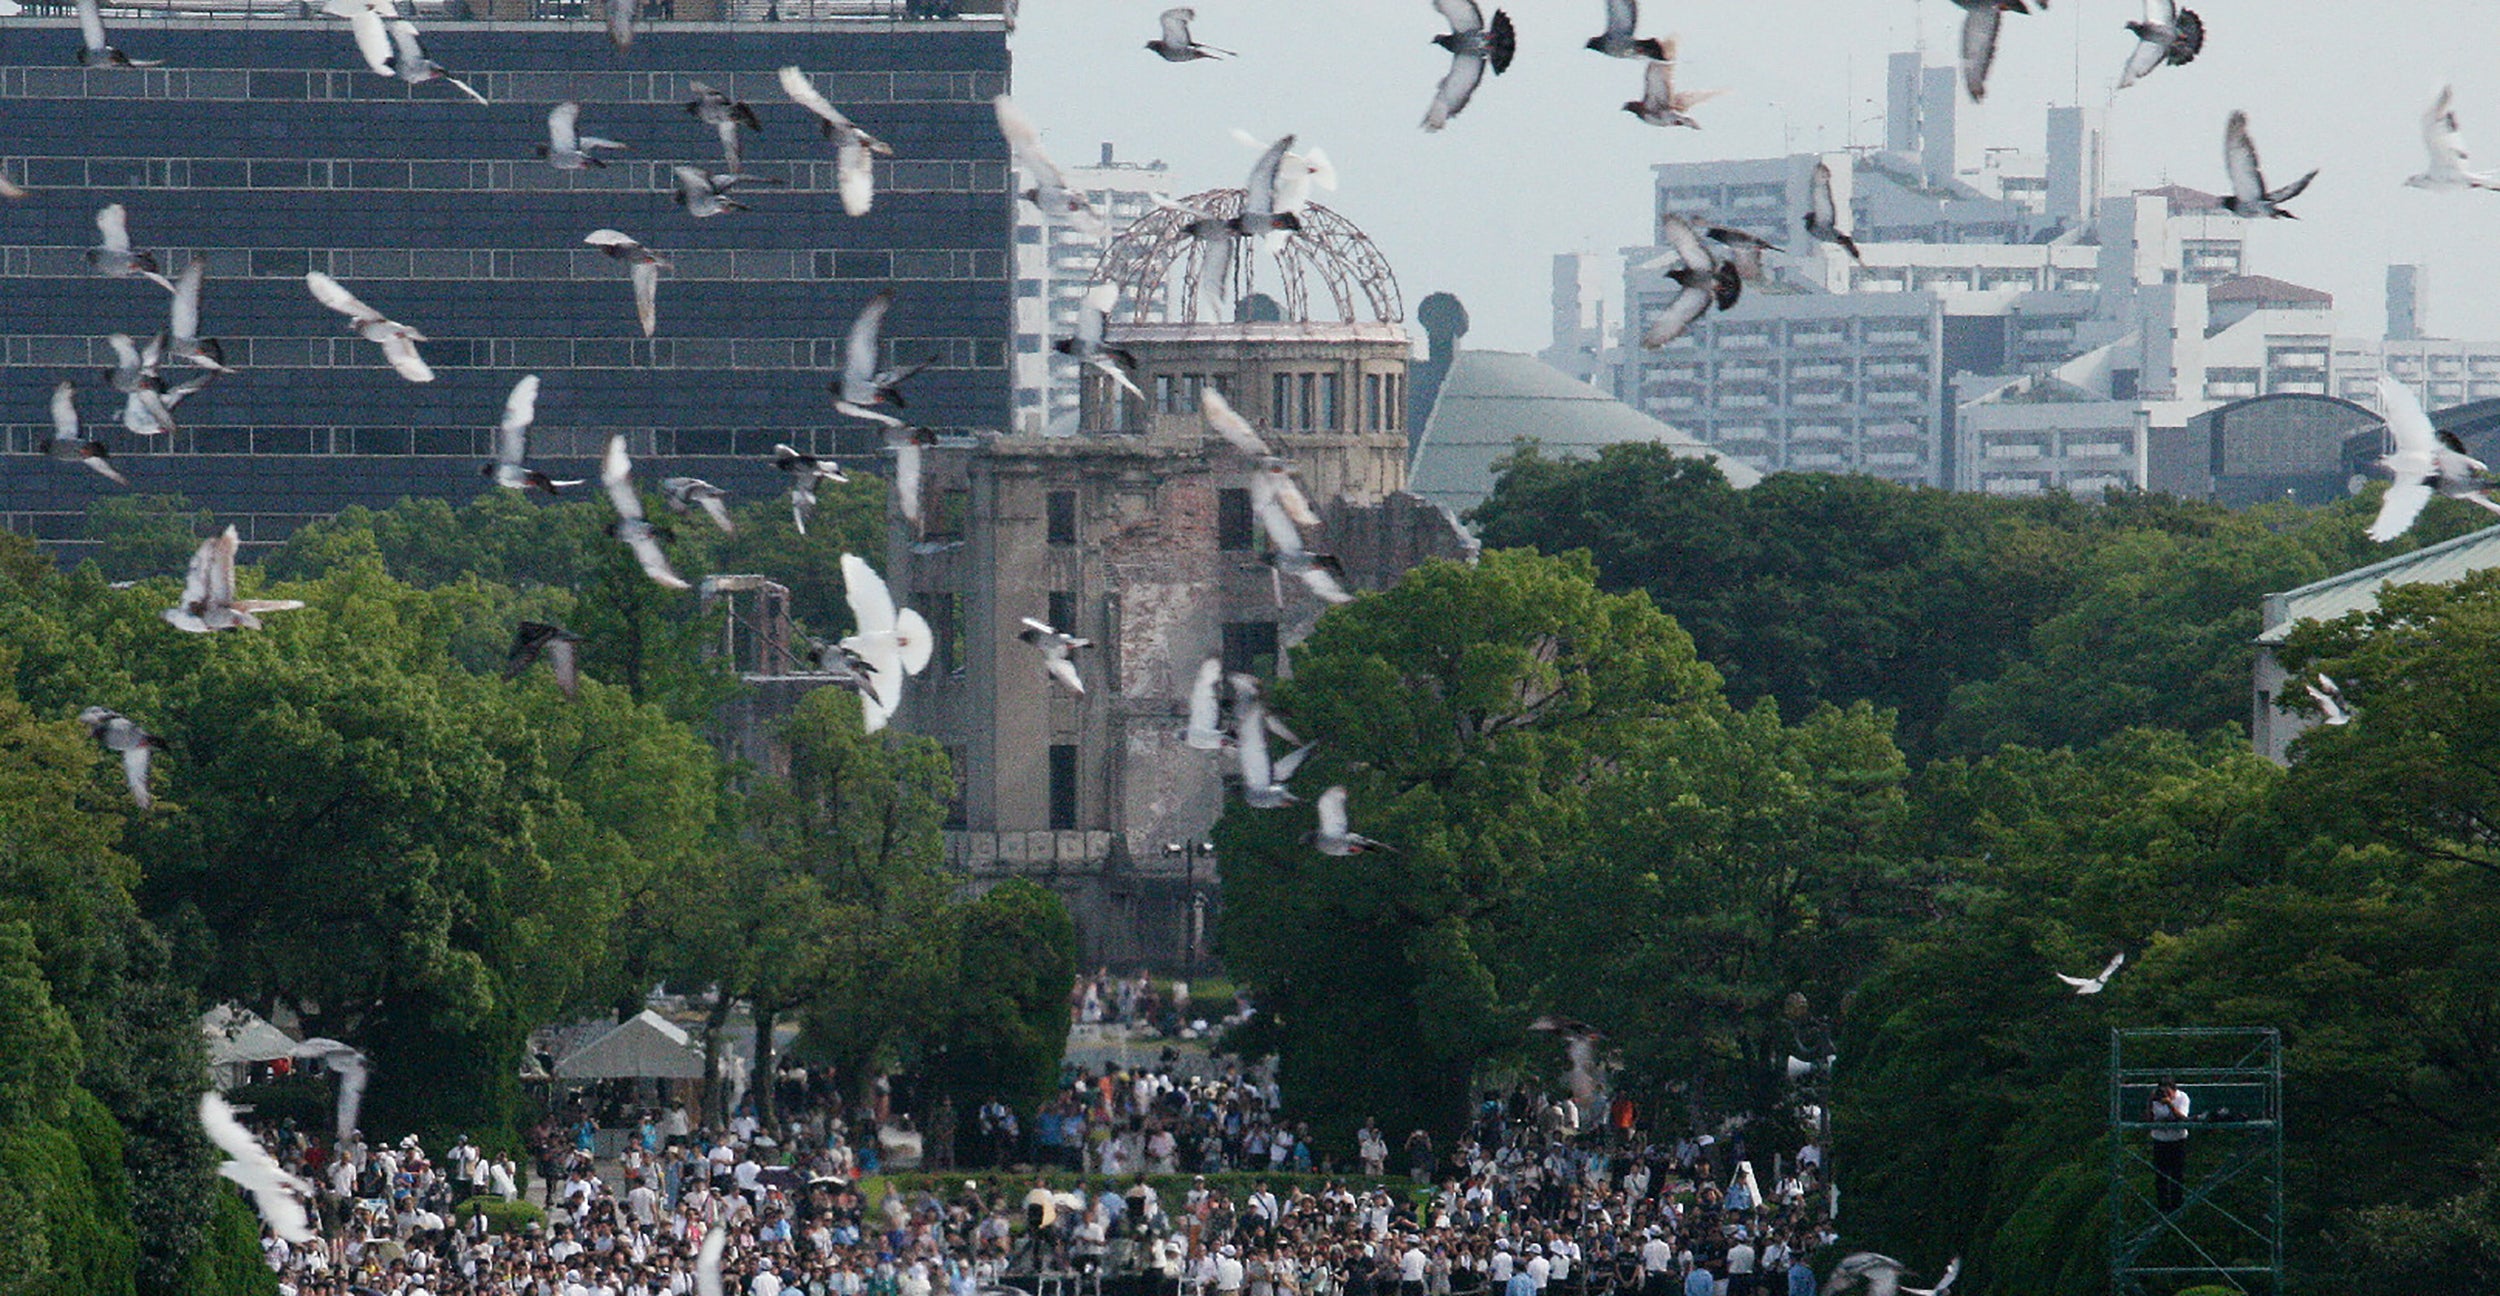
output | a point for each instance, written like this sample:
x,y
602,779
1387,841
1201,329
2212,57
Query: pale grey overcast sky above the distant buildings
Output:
x,y
1544,161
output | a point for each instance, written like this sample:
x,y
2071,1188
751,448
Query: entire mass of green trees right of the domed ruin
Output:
x,y
1594,829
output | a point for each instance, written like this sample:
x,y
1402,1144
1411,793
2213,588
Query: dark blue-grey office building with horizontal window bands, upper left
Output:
x,y
269,149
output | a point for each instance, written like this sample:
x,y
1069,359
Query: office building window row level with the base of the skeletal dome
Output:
x,y
734,354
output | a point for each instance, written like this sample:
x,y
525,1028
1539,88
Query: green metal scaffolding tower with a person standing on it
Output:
x,y
2229,1220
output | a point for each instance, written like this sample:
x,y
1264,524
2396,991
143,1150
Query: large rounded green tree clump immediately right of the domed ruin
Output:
x,y
1524,739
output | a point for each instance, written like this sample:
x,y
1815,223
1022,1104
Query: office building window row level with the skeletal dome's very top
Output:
x,y
474,176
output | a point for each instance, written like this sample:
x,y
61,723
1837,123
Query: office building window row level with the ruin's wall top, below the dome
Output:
x,y
546,442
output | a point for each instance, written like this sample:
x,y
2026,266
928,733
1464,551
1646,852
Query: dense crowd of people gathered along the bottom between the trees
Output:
x,y
1524,1205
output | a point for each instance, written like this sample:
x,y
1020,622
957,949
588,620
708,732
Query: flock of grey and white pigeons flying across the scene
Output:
x,y
1711,264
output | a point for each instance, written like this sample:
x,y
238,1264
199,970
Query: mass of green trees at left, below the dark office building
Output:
x,y
366,827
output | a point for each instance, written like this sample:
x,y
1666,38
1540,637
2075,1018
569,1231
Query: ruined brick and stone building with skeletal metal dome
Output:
x,y
1134,529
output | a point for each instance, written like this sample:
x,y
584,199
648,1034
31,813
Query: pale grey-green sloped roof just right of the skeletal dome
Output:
x,y
1494,399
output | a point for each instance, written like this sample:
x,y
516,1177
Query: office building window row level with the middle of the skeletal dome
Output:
x,y
541,264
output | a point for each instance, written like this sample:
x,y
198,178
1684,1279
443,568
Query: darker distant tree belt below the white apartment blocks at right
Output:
x,y
1974,619
